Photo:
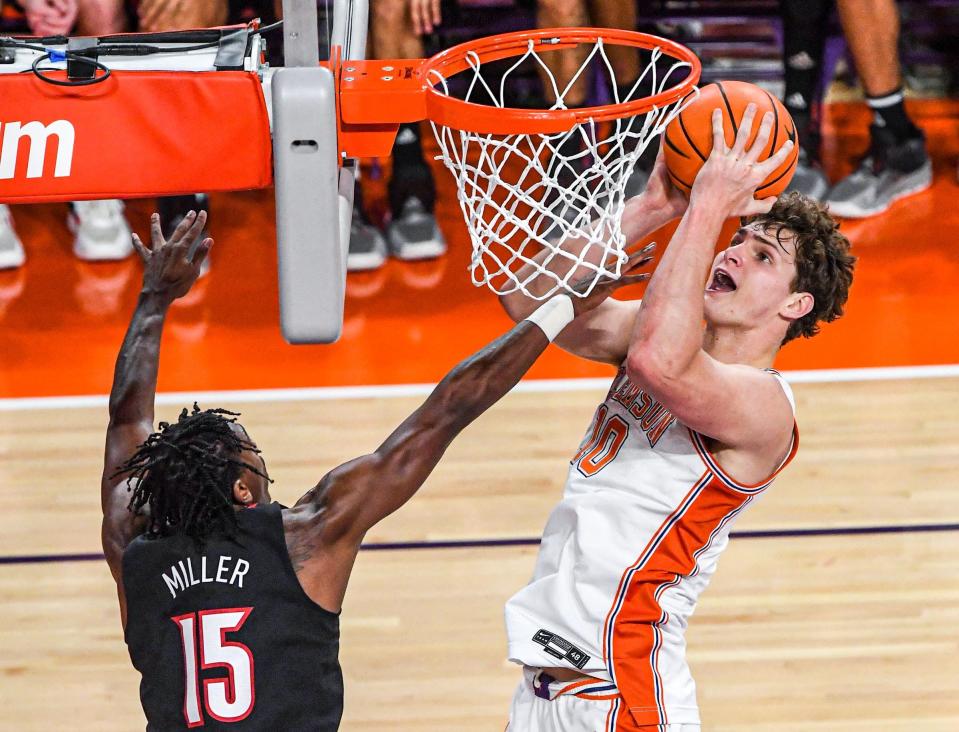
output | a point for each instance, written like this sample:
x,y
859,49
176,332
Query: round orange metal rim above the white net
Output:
x,y
458,114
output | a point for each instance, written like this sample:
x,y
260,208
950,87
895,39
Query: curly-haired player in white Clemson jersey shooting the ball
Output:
x,y
695,426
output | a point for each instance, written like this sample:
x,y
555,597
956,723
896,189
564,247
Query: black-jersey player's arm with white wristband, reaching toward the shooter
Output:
x,y
327,525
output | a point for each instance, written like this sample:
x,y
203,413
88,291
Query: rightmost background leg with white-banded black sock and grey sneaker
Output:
x,y
897,164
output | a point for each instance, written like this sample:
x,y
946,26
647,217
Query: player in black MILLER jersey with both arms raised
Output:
x,y
230,602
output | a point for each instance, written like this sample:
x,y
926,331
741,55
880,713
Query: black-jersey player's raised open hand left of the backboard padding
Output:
x,y
169,267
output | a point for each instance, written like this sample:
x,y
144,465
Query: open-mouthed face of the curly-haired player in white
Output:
x,y
752,278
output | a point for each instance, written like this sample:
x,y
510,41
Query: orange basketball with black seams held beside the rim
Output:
x,y
688,139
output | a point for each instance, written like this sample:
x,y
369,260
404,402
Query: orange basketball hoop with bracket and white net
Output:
x,y
519,191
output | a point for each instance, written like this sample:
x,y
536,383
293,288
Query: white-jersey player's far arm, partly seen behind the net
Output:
x,y
603,334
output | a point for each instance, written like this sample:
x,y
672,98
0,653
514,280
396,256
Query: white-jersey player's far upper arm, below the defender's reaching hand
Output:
x,y
602,334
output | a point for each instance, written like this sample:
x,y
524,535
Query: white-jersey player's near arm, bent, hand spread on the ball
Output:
x,y
737,405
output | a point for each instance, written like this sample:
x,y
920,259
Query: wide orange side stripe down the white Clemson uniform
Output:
x,y
633,628
